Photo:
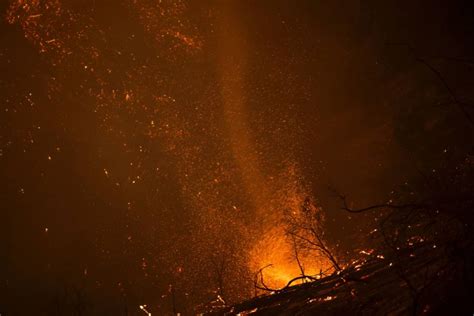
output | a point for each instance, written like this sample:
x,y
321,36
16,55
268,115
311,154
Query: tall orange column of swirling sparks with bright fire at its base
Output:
x,y
271,196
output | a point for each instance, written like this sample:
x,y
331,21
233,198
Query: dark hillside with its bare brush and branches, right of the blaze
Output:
x,y
421,262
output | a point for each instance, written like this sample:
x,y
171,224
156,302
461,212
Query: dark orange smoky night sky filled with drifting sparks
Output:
x,y
141,141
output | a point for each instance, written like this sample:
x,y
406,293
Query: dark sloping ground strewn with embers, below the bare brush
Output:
x,y
418,280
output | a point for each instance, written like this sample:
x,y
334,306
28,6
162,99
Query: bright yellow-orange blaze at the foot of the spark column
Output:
x,y
274,259
